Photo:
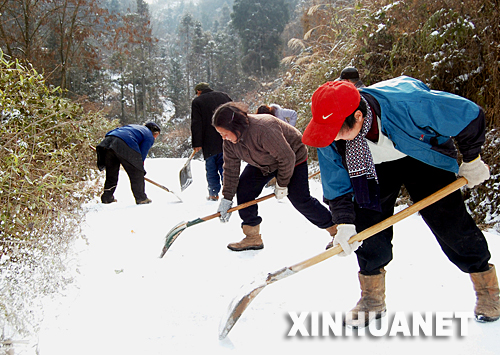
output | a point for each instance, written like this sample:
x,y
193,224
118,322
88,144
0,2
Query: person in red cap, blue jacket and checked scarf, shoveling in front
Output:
x,y
399,132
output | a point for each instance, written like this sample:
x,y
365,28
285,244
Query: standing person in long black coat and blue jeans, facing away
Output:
x,y
205,137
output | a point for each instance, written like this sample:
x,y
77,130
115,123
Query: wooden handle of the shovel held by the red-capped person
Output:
x,y
445,191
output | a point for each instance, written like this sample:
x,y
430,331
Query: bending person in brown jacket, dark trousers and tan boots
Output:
x,y
272,148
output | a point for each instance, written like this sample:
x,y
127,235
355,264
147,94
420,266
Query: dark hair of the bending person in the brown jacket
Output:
x,y
232,116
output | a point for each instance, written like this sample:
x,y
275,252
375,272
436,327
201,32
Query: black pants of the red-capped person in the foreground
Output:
x,y
455,230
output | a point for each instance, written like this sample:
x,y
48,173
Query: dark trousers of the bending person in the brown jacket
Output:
x,y
252,181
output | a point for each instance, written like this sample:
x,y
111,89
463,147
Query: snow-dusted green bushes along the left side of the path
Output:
x,y
45,159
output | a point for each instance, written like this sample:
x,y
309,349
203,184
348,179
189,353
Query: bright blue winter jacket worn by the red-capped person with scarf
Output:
x,y
420,122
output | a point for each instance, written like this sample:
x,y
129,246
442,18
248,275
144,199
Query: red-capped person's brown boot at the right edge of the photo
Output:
x,y
488,303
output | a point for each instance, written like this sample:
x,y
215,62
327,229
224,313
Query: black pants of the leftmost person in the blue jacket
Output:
x,y
136,176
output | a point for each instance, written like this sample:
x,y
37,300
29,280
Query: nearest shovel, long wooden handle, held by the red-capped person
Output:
x,y
250,291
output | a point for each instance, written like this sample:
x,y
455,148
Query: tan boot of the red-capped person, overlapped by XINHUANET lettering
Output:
x,y
372,303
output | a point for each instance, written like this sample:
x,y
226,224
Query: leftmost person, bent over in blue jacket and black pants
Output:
x,y
128,145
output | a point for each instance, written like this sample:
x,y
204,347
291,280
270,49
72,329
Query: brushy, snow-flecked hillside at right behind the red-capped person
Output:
x,y
450,45
